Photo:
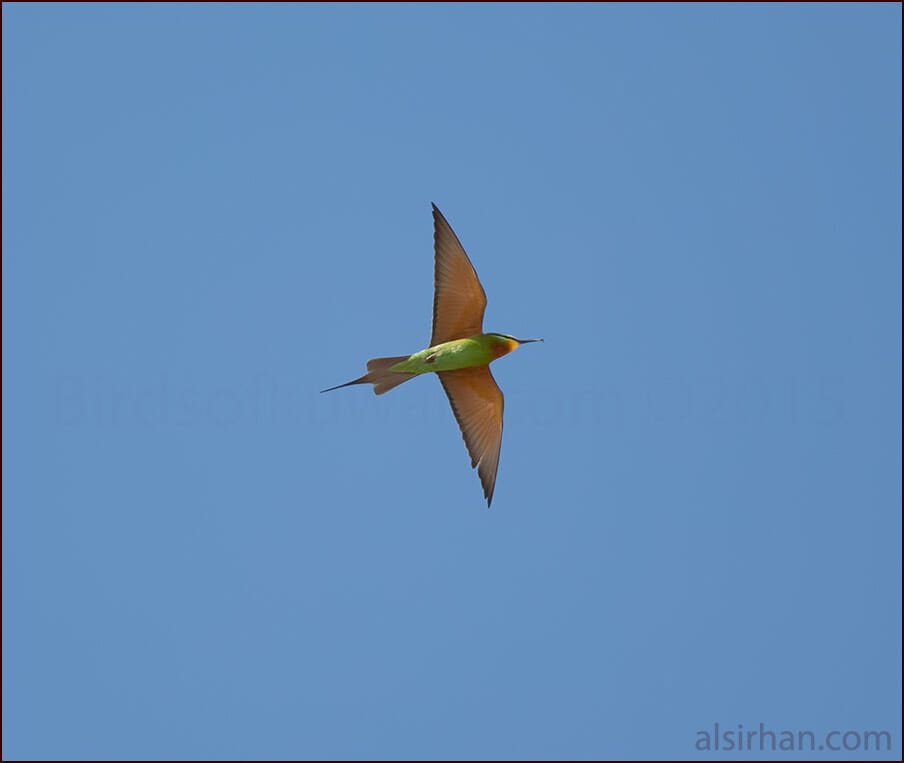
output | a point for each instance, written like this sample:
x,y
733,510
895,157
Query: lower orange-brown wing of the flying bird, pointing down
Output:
x,y
477,403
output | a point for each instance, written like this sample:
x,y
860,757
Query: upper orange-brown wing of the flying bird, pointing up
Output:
x,y
458,298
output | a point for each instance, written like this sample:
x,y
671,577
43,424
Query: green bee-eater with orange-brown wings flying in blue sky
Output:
x,y
459,353
